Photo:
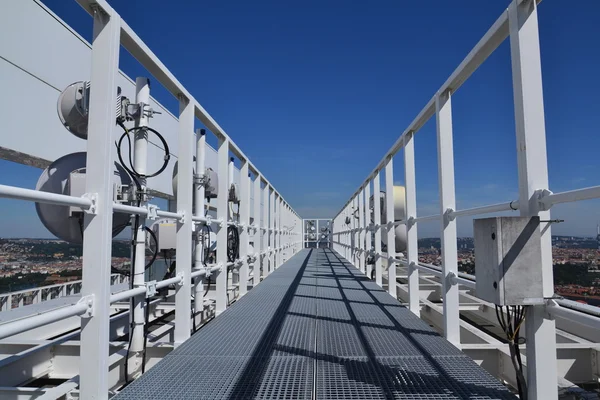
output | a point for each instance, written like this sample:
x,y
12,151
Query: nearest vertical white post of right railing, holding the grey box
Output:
x,y
533,178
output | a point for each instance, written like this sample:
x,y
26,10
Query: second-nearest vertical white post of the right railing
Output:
x,y
443,112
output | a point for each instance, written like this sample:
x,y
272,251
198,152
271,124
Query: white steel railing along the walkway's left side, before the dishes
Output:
x,y
270,240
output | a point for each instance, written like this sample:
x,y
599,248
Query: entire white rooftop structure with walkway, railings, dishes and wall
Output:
x,y
229,292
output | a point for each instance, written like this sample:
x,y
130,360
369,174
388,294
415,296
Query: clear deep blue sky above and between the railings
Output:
x,y
315,92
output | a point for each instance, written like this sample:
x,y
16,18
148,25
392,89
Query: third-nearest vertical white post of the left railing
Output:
x,y
223,215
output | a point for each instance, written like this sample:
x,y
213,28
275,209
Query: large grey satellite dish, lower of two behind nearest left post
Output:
x,y
59,219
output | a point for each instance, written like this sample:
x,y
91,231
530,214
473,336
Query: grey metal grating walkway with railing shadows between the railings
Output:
x,y
316,328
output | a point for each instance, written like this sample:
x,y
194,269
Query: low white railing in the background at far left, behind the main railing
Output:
x,y
20,298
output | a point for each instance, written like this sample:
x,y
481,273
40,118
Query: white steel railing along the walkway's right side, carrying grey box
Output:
x,y
519,23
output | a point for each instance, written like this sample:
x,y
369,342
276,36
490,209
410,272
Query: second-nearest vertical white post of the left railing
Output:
x,y
185,227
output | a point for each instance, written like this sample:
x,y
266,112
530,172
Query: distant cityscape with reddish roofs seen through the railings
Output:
x,y
29,263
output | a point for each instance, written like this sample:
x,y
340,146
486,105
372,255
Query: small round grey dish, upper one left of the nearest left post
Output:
x,y
72,107
